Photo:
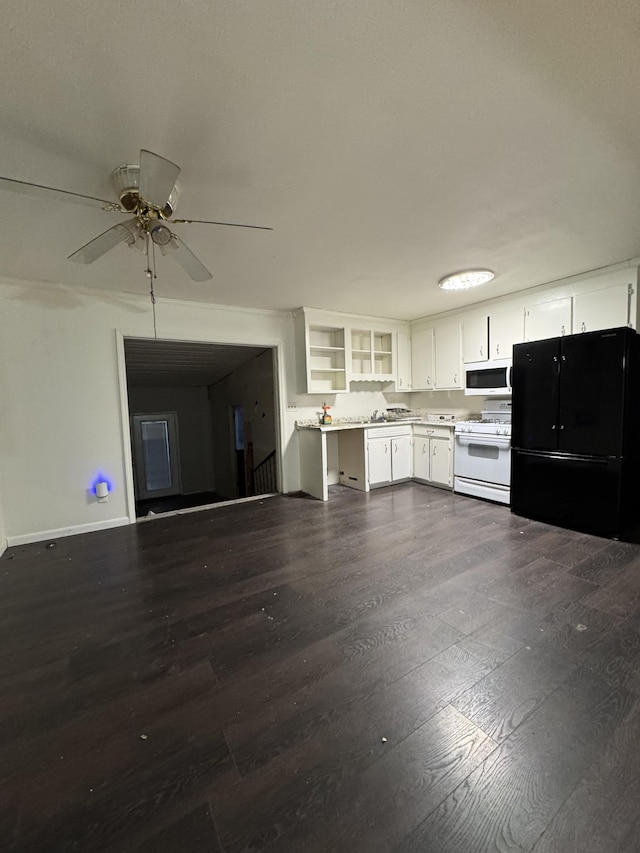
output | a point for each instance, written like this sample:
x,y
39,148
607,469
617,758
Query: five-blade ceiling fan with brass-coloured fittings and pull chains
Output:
x,y
149,193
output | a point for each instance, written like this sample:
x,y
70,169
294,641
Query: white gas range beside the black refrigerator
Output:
x,y
482,456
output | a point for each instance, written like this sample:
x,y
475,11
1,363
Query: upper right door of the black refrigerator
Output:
x,y
592,380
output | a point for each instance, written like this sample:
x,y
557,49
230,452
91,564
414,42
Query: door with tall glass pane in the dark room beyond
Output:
x,y
155,455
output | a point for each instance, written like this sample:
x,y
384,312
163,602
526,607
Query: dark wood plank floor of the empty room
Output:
x,y
402,671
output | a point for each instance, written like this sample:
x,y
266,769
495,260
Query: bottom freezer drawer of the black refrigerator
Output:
x,y
573,491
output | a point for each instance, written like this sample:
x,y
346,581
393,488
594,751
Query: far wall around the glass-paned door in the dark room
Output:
x,y
195,438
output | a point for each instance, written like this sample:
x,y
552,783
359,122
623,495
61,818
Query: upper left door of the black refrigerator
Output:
x,y
535,394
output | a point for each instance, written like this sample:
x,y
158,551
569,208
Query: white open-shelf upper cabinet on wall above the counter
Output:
x,y
340,349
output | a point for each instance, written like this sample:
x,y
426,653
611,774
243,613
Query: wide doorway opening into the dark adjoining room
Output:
x,y
203,423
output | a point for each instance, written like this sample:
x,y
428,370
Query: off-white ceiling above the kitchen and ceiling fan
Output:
x,y
387,143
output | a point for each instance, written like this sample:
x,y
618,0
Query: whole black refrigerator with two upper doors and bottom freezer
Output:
x,y
575,457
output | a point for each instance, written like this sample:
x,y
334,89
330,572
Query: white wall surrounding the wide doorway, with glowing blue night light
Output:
x,y
62,420
